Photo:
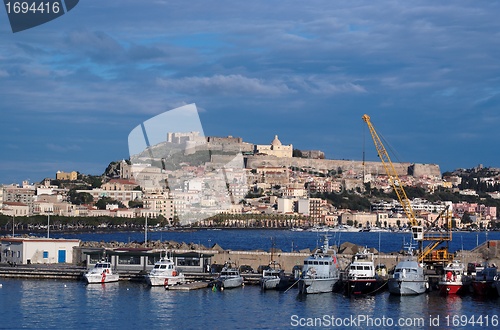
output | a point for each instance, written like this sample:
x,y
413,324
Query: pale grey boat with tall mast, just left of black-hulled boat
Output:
x,y
320,272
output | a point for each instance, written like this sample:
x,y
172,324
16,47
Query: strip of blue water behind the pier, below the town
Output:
x,y
283,239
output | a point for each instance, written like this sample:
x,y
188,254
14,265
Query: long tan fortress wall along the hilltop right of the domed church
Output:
x,y
347,166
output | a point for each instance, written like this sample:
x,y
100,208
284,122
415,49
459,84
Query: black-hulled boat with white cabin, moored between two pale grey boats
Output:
x,y
362,276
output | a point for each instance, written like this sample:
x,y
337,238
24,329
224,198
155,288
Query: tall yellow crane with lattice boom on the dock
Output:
x,y
429,254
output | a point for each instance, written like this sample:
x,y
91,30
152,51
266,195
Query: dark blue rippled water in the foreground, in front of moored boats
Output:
x,y
75,305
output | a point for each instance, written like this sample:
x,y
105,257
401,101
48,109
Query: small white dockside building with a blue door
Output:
x,y
16,250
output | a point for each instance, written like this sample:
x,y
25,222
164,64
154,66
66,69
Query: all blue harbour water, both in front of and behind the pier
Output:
x,y
58,304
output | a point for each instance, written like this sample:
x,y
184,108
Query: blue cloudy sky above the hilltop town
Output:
x,y
427,73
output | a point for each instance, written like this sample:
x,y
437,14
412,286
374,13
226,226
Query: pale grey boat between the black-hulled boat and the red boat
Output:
x,y
408,277
